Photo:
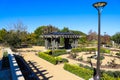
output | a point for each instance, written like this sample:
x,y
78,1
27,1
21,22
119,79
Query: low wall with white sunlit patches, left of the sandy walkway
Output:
x,y
15,70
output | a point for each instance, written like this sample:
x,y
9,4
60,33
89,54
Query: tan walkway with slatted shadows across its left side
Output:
x,y
47,71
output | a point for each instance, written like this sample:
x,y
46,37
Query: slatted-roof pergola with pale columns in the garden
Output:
x,y
52,40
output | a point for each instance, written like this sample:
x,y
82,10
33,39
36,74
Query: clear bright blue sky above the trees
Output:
x,y
74,14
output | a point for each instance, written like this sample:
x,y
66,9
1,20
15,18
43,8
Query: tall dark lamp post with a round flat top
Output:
x,y
99,6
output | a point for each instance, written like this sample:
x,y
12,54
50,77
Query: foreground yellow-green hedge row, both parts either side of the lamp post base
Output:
x,y
86,72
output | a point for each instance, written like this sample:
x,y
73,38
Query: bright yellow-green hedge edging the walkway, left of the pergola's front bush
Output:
x,y
47,57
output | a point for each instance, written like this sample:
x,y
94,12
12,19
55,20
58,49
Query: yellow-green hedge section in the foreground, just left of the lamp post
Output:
x,y
79,71
